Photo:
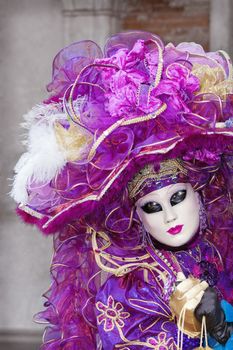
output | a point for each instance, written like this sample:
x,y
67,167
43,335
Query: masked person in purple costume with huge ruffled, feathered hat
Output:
x,y
129,164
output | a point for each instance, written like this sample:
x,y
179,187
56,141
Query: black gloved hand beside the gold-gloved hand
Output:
x,y
216,325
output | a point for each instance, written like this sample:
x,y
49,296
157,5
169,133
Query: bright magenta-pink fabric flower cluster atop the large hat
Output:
x,y
129,88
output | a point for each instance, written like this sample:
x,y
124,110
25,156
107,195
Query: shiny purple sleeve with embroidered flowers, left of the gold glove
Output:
x,y
132,316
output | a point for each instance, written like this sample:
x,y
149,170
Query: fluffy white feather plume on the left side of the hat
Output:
x,y
43,159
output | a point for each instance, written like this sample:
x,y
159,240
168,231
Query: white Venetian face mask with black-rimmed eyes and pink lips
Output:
x,y
170,214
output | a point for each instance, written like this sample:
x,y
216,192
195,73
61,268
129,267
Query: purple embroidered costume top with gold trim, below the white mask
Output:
x,y
133,310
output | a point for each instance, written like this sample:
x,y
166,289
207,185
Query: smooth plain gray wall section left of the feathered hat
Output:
x,y
30,35
